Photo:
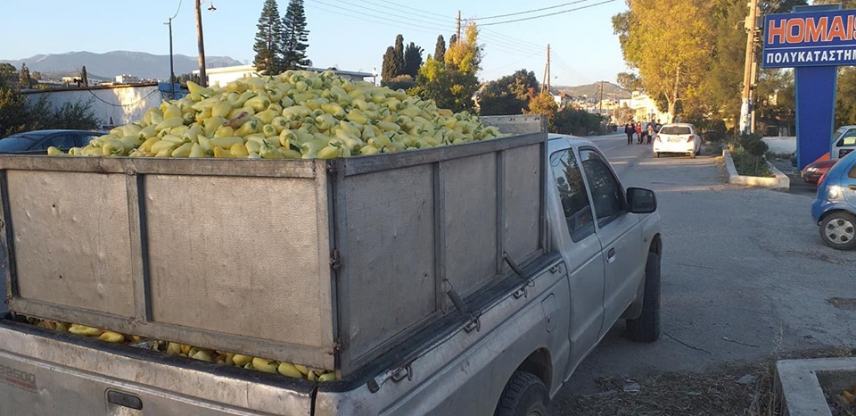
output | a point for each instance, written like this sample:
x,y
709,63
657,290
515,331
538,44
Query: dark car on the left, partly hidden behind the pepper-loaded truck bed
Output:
x,y
38,141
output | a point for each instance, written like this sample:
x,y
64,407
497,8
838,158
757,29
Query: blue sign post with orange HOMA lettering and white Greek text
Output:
x,y
815,40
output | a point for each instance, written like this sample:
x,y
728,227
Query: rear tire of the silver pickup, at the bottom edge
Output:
x,y
524,395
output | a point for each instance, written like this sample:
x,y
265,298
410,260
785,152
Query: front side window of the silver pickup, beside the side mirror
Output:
x,y
606,191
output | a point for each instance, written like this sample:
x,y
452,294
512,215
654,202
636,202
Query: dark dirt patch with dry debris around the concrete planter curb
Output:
x,y
735,389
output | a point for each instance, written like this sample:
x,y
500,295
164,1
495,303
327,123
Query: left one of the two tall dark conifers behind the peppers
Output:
x,y
270,40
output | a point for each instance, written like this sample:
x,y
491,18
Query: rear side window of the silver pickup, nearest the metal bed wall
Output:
x,y
572,193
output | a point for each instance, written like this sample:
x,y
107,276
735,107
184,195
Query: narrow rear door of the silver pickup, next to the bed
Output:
x,y
574,236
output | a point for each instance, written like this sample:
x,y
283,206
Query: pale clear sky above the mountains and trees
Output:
x,y
347,34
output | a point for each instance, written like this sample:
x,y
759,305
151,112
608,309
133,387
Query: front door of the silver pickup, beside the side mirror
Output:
x,y
620,235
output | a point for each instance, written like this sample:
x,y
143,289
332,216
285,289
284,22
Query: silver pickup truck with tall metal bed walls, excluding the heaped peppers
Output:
x,y
467,280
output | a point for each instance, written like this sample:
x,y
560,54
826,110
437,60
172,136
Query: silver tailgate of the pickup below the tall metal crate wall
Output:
x,y
45,374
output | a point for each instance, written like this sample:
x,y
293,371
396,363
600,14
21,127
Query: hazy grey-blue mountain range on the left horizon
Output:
x,y
110,64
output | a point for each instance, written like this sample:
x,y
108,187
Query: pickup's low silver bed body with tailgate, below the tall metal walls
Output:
x,y
439,371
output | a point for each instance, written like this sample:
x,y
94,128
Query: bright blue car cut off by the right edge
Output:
x,y
834,209
